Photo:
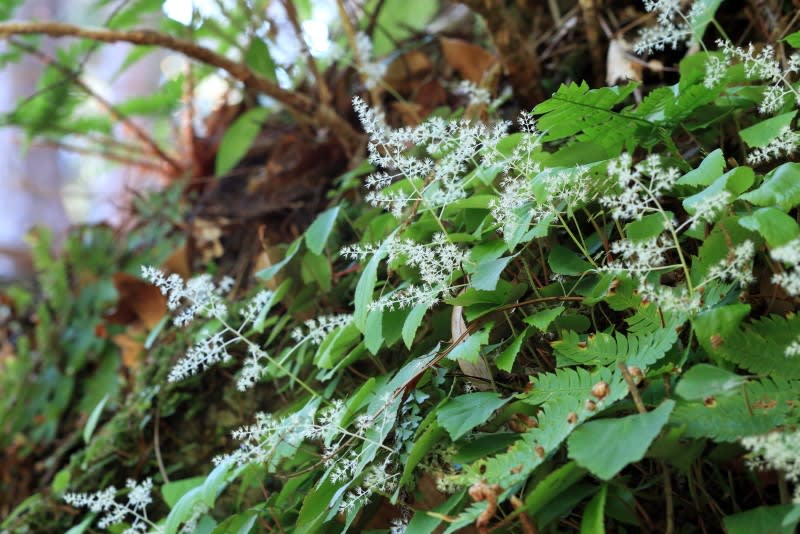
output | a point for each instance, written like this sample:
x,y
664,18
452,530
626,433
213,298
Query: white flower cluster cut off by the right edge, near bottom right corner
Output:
x,y
779,451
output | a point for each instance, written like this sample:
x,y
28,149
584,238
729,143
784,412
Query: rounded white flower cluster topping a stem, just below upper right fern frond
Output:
x,y
639,186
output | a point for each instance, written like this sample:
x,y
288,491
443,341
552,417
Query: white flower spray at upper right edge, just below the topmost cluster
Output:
x,y
761,65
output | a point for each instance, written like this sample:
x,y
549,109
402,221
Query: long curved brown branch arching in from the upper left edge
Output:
x,y
298,103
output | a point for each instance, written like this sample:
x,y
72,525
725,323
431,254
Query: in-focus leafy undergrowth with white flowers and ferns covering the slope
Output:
x,y
522,328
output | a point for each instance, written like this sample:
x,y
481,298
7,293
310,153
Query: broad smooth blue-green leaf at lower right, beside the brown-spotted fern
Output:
x,y
606,446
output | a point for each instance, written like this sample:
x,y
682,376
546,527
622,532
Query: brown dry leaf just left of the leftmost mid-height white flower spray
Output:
x,y
138,300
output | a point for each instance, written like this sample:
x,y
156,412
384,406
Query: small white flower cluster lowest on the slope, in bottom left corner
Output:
x,y
133,511
